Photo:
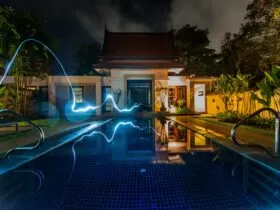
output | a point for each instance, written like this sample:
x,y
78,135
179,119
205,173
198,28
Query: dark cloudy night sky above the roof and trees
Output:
x,y
76,22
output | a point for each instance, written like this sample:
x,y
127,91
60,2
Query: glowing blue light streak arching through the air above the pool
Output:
x,y
85,109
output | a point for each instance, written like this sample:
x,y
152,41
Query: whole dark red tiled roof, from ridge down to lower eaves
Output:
x,y
138,50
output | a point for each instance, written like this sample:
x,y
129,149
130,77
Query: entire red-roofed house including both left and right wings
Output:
x,y
134,67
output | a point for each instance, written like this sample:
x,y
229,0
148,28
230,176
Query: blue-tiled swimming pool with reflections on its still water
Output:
x,y
163,166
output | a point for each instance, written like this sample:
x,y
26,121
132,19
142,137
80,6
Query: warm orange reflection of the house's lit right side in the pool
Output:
x,y
179,140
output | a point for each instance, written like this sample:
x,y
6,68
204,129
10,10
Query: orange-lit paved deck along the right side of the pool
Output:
x,y
220,134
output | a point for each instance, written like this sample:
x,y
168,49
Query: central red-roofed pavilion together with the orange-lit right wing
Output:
x,y
139,64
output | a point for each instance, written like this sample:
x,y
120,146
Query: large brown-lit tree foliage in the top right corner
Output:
x,y
256,47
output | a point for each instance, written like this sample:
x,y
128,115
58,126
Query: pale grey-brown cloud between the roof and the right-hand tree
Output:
x,y
219,16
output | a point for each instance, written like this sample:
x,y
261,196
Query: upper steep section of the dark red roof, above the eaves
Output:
x,y
138,45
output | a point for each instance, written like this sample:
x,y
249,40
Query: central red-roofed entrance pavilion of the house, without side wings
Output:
x,y
138,64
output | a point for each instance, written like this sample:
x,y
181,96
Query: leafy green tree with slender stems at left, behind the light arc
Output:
x,y
32,61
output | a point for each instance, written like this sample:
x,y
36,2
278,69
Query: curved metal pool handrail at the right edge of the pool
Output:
x,y
276,151
